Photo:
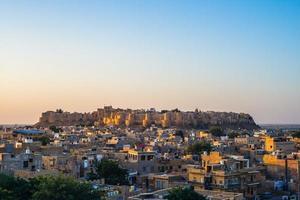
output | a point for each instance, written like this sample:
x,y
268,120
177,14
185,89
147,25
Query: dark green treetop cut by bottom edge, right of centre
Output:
x,y
186,193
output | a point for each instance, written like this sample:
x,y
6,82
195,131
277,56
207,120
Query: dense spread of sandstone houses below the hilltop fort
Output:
x,y
248,166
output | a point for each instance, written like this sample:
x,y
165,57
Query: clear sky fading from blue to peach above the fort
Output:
x,y
241,56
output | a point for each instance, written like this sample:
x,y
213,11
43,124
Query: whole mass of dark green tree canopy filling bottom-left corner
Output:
x,y
45,188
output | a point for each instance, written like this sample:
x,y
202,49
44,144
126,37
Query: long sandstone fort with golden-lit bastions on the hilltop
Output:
x,y
109,116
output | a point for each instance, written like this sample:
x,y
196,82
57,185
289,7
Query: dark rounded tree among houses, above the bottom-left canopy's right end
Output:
x,y
111,172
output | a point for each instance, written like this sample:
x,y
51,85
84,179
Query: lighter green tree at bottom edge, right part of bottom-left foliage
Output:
x,y
62,188
